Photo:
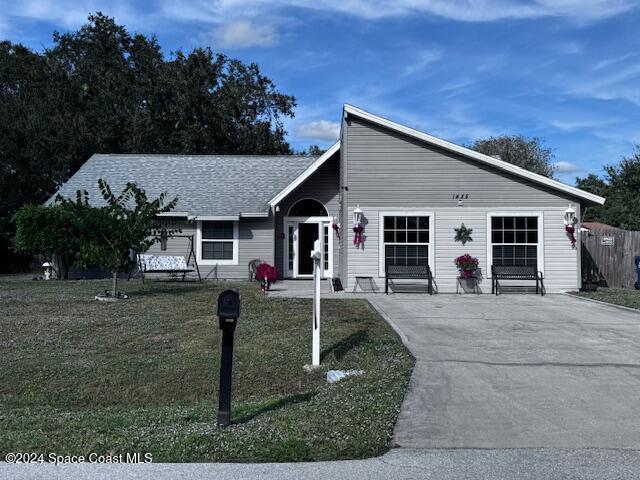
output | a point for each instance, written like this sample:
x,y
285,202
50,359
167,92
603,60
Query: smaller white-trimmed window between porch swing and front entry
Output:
x,y
218,242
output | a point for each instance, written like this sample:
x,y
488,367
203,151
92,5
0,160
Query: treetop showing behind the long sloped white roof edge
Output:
x,y
528,153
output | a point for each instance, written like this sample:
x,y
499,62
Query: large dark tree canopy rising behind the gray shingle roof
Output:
x,y
102,89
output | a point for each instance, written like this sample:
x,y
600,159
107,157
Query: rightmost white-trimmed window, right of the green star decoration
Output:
x,y
514,240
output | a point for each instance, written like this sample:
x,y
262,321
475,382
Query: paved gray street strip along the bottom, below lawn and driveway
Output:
x,y
398,464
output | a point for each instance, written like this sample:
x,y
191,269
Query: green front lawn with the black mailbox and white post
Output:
x,y
79,376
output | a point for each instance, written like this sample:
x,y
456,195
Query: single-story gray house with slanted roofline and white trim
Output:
x,y
413,190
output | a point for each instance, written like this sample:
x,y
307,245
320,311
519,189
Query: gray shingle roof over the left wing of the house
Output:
x,y
221,185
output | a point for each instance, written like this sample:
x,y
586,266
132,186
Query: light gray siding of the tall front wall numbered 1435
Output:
x,y
387,171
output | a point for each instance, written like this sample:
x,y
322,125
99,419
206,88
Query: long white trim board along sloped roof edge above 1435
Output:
x,y
486,159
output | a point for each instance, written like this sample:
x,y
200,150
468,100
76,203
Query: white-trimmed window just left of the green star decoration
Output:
x,y
405,240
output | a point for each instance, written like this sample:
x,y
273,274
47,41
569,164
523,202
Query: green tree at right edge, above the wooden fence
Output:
x,y
620,185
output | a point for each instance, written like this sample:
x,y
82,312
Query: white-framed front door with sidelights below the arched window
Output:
x,y
300,235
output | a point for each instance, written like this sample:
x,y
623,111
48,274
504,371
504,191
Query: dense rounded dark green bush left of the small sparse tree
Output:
x,y
54,230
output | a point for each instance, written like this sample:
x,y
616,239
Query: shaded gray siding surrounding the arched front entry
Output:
x,y
321,186
